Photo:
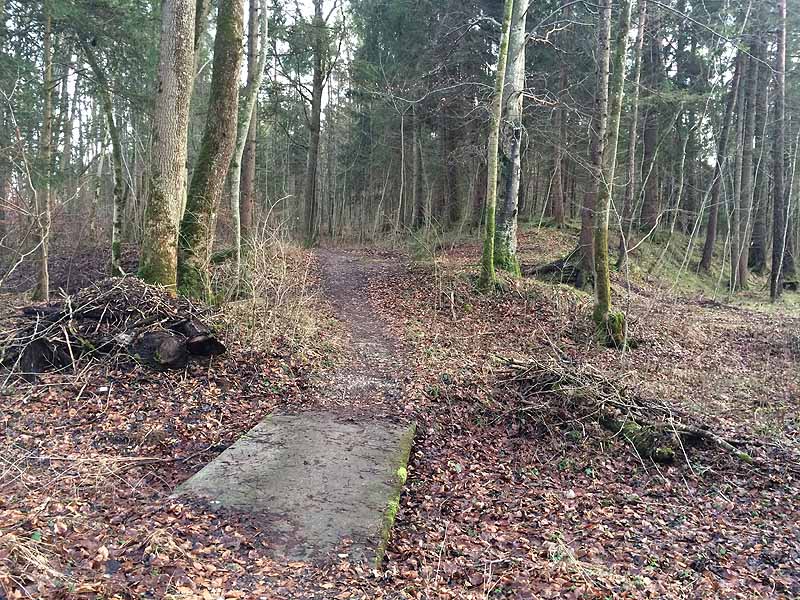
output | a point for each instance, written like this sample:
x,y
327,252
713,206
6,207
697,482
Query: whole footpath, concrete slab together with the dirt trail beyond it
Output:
x,y
326,479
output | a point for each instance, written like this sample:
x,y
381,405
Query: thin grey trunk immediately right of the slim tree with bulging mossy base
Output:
x,y
633,133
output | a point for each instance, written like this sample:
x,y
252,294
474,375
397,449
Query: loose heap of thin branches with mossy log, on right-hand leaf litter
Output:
x,y
582,393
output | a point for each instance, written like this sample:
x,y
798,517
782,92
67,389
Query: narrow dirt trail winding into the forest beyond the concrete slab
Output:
x,y
375,372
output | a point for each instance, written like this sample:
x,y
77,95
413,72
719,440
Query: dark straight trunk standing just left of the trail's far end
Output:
x,y
310,190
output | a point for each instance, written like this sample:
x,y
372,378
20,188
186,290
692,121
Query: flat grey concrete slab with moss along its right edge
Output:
x,y
313,480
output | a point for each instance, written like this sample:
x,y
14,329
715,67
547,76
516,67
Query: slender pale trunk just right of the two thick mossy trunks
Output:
x,y
247,125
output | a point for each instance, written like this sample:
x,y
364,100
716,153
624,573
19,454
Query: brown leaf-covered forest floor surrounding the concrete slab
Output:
x,y
503,500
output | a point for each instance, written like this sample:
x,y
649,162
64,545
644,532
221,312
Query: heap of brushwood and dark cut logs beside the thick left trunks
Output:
x,y
114,319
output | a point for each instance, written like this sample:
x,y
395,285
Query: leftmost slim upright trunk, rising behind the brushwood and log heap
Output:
x,y
41,193
